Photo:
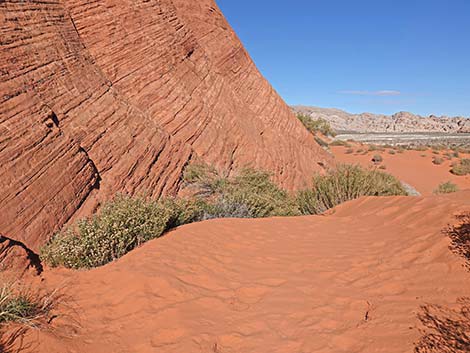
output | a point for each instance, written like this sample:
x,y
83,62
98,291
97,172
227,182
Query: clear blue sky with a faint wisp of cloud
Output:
x,y
379,56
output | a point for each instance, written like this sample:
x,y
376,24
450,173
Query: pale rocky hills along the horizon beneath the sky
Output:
x,y
399,122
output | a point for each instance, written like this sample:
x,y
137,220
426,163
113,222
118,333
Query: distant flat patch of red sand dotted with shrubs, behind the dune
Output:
x,y
410,167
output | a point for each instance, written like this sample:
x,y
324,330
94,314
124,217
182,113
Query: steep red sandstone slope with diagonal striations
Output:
x,y
106,96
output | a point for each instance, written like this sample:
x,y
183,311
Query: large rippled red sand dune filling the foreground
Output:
x,y
350,281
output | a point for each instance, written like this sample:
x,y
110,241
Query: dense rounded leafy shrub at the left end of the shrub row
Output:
x,y
122,225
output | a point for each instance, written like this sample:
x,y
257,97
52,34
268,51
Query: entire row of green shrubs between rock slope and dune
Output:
x,y
127,222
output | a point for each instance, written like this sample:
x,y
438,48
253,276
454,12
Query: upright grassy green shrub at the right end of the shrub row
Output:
x,y
346,182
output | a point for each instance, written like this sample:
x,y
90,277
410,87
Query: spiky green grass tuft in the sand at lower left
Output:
x,y
22,305
